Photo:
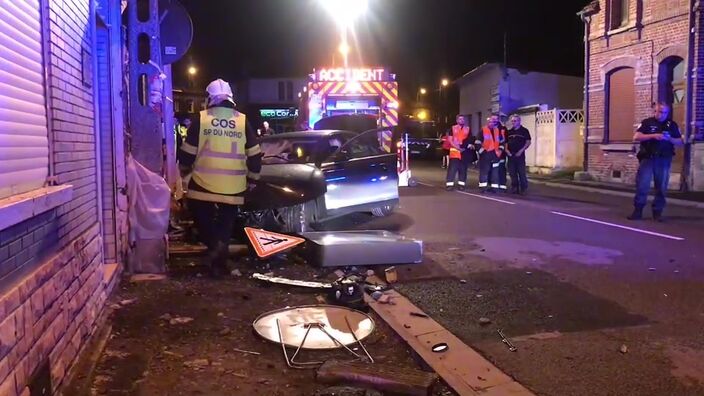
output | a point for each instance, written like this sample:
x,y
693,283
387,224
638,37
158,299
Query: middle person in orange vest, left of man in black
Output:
x,y
490,144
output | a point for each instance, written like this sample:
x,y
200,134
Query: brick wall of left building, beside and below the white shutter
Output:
x,y
49,312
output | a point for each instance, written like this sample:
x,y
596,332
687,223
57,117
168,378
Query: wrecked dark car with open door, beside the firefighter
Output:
x,y
312,176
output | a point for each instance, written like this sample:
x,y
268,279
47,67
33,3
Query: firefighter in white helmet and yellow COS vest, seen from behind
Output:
x,y
223,153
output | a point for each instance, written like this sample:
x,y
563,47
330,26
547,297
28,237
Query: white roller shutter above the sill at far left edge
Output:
x,y
24,146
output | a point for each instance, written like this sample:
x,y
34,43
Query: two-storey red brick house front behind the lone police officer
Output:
x,y
639,52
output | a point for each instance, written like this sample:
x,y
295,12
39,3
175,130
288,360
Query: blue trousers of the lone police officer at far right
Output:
x,y
649,169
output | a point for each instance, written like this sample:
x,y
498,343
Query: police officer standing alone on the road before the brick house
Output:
x,y
658,137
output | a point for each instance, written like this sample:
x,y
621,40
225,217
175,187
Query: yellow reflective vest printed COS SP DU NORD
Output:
x,y
221,162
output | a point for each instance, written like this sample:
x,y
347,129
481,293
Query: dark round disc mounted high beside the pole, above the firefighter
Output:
x,y
176,29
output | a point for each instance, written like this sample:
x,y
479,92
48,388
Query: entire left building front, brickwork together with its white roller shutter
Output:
x,y
56,237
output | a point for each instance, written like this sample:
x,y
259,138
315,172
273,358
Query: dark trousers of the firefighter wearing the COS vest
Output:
x,y
215,223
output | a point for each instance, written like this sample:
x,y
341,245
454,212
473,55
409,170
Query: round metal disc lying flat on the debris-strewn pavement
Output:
x,y
319,319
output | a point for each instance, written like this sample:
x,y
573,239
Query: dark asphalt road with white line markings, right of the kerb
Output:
x,y
569,279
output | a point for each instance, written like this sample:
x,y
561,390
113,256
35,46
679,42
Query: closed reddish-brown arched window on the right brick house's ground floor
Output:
x,y
620,105
